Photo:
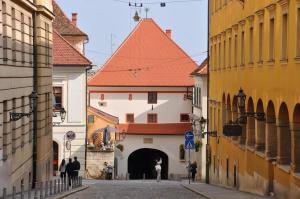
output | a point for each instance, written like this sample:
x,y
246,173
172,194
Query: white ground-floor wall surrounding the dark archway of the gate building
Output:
x,y
168,144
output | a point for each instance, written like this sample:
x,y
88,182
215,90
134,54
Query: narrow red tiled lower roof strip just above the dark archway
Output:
x,y
155,129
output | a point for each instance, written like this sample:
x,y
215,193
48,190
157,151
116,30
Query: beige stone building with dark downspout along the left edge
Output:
x,y
25,69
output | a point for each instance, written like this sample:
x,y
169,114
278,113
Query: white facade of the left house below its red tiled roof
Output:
x,y
73,81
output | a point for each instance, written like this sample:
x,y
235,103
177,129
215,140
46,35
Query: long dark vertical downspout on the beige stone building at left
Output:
x,y
35,88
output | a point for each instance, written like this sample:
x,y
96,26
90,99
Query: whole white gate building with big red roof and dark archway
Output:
x,y
146,84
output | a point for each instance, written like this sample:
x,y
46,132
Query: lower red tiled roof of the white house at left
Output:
x,y
65,54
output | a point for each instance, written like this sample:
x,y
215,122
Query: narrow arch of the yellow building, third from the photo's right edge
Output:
x,y
271,131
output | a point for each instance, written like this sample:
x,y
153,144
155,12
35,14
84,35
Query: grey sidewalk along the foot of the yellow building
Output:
x,y
216,192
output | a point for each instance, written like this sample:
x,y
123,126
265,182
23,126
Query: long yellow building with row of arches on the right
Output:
x,y
255,45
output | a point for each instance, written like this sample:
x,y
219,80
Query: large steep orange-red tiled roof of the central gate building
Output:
x,y
148,57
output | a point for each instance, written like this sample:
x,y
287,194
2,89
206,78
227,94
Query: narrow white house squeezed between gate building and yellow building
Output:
x,y
200,110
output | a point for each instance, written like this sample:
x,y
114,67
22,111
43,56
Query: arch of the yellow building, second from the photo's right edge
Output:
x,y
284,136
